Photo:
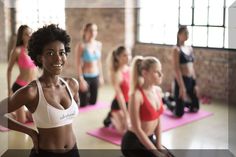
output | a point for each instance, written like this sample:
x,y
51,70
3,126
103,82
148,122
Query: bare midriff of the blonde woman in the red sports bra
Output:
x,y
148,127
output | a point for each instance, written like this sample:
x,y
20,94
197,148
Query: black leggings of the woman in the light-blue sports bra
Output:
x,y
89,96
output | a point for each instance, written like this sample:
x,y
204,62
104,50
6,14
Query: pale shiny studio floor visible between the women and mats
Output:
x,y
208,133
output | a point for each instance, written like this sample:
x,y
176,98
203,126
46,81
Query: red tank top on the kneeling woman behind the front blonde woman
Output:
x,y
124,85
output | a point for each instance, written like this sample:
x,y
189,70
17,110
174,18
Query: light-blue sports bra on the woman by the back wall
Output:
x,y
91,56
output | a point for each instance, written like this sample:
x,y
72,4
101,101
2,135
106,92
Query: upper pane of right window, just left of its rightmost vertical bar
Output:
x,y
216,16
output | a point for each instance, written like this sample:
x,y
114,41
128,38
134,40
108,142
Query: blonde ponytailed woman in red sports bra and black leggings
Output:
x,y
145,109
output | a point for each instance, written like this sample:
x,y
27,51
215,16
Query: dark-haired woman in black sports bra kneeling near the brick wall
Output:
x,y
186,91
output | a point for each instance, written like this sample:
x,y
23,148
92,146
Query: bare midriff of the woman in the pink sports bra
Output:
x,y
27,75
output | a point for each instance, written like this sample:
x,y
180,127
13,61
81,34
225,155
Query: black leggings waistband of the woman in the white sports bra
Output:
x,y
46,153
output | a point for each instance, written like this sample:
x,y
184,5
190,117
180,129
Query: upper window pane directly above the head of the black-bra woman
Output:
x,y
185,16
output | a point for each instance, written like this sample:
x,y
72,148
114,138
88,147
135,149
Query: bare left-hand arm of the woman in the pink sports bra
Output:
x,y
12,60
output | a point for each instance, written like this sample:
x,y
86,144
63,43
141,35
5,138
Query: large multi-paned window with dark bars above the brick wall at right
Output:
x,y
207,21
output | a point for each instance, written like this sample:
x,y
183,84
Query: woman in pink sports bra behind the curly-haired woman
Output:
x,y
27,69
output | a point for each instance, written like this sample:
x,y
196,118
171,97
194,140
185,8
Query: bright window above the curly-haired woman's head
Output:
x,y
37,13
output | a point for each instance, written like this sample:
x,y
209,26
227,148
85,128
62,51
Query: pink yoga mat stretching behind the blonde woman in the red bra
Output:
x,y
168,122
